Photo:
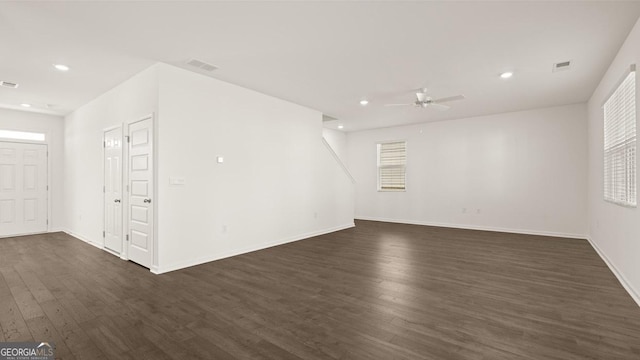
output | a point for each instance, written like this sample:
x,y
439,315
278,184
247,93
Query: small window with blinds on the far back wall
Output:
x,y
392,164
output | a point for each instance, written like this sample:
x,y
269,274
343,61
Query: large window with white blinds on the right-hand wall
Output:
x,y
620,143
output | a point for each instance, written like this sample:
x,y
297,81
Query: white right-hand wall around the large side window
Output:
x,y
614,230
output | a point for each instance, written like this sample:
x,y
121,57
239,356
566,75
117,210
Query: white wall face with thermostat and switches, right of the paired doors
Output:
x,y
278,182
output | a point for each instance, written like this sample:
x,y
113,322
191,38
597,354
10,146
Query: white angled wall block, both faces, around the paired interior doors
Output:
x,y
278,182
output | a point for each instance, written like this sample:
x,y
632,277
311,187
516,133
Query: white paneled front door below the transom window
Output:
x,y
23,188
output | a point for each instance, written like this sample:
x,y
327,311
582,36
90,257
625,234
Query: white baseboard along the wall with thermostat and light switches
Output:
x,y
219,256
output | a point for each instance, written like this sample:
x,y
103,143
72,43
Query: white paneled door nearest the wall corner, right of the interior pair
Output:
x,y
140,175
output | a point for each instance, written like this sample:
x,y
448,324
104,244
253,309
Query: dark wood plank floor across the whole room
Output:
x,y
378,291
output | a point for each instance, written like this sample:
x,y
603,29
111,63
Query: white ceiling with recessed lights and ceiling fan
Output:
x,y
323,55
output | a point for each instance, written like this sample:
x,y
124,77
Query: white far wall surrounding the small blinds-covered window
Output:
x,y
519,172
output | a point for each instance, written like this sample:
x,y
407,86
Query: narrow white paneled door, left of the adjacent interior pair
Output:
x,y
113,190
